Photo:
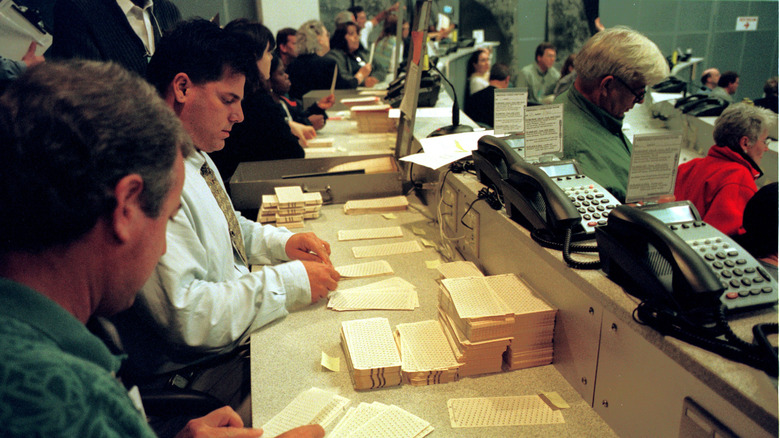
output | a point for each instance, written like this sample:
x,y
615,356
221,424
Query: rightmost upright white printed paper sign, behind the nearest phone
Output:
x,y
653,168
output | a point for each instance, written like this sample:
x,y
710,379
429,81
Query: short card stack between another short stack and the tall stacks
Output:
x,y
426,357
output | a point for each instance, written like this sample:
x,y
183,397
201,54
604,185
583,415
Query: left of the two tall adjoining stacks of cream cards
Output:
x,y
477,323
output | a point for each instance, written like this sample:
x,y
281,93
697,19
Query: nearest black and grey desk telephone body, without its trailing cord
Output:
x,y
667,254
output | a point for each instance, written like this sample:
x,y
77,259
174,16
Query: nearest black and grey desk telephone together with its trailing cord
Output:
x,y
688,276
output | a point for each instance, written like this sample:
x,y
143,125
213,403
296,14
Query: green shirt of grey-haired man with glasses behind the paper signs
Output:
x,y
595,139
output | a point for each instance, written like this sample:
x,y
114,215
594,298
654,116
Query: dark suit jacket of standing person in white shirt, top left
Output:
x,y
99,30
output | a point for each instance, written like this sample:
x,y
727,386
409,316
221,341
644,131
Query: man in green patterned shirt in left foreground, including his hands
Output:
x,y
84,252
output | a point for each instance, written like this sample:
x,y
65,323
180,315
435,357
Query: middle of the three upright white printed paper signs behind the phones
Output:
x,y
543,130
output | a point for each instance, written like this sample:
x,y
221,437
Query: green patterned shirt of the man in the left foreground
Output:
x,y
56,378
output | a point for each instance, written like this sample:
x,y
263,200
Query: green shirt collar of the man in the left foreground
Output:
x,y
36,310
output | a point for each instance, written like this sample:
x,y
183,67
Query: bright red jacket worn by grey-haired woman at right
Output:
x,y
719,185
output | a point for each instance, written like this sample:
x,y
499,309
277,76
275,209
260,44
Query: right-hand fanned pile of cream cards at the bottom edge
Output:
x,y
379,420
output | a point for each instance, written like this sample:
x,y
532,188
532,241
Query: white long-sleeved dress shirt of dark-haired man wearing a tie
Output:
x,y
202,298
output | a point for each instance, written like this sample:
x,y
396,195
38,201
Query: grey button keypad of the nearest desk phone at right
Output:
x,y
741,280
